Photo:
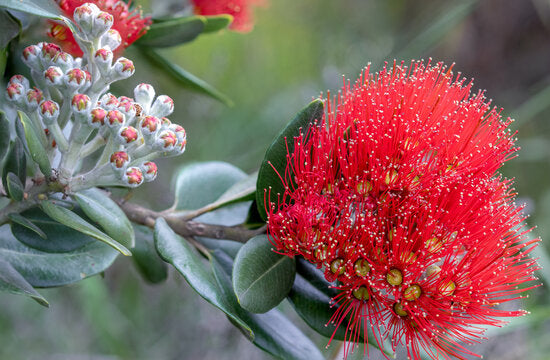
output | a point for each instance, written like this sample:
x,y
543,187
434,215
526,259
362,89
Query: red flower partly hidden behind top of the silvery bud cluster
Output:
x,y
129,23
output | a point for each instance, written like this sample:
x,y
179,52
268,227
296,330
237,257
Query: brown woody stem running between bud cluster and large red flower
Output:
x,y
188,228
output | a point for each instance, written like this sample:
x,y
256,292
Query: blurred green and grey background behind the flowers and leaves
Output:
x,y
297,50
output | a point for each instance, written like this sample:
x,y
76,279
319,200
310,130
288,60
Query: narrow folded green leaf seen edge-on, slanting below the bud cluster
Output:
x,y
72,220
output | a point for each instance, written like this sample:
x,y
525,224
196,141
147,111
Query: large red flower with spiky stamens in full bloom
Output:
x,y
396,195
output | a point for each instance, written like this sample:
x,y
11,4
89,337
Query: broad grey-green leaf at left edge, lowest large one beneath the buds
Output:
x,y
44,269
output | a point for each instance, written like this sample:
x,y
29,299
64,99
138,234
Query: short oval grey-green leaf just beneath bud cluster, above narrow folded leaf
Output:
x,y
100,208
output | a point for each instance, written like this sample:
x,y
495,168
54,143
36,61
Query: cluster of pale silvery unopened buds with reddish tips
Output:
x,y
83,122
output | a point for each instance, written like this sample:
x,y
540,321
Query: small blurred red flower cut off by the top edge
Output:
x,y
239,9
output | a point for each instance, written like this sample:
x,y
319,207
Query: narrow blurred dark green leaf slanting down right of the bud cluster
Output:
x,y
183,77
